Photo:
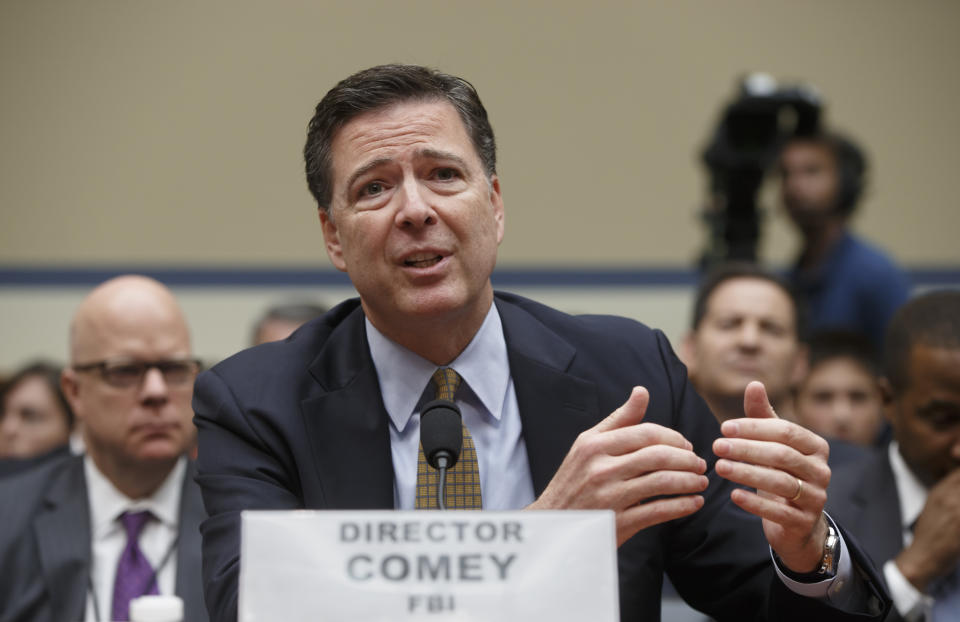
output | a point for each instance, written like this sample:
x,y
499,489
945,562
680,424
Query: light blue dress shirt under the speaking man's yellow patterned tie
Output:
x,y
486,399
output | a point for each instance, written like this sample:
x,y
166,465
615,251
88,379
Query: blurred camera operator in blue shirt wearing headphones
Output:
x,y
845,282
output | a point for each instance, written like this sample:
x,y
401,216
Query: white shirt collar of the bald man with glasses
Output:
x,y
107,503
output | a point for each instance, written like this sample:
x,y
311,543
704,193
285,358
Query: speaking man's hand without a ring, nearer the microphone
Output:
x,y
620,463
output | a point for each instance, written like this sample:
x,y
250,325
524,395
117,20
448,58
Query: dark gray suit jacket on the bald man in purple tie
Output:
x,y
45,545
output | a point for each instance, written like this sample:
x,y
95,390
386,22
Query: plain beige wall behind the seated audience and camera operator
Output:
x,y
169,133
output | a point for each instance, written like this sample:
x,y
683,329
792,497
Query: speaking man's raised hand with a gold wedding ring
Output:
x,y
787,465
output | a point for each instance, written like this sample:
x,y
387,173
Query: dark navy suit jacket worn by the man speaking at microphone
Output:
x,y
301,424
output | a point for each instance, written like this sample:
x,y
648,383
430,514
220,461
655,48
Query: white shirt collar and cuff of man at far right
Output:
x,y
911,603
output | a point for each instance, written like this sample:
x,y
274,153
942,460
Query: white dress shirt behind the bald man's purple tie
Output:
x,y
157,540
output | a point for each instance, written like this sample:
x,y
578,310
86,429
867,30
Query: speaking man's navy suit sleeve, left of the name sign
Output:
x,y
240,467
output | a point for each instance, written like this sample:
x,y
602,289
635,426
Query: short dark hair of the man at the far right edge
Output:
x,y
931,319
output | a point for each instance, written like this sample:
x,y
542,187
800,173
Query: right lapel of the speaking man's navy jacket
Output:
x,y
555,406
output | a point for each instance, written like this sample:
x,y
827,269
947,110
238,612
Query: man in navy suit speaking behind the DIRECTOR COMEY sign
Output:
x,y
401,160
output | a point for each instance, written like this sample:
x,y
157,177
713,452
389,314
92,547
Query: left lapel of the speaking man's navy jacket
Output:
x,y
347,423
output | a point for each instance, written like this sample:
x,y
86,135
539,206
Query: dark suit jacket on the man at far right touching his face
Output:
x,y
863,497
